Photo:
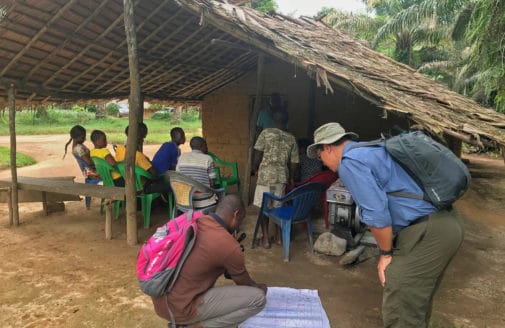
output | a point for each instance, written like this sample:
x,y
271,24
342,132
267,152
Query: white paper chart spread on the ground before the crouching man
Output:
x,y
290,308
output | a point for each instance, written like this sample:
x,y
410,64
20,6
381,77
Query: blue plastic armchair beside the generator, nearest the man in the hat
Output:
x,y
295,208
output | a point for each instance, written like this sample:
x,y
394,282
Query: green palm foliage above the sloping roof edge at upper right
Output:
x,y
458,42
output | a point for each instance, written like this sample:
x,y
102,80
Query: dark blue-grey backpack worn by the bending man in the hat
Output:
x,y
442,176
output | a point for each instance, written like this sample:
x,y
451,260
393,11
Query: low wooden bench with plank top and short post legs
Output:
x,y
52,187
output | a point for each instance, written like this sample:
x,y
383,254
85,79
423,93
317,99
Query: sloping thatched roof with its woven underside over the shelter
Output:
x,y
56,50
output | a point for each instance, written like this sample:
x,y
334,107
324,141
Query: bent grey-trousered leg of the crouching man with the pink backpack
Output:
x,y
228,306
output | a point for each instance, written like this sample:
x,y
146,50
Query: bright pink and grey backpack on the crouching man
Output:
x,y
161,257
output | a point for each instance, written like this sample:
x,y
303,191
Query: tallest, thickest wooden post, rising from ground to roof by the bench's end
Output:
x,y
133,118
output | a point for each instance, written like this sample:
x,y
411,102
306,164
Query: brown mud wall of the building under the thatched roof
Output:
x,y
225,112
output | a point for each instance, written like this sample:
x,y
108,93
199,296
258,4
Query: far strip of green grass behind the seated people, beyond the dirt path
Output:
x,y
59,121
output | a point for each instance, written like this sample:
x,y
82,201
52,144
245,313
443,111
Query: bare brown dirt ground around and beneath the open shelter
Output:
x,y
59,271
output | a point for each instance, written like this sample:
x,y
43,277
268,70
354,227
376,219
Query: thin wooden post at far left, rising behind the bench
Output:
x,y
13,205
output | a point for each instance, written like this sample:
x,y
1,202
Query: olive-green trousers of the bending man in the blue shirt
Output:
x,y
424,251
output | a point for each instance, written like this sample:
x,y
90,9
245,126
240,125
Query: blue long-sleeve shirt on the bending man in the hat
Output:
x,y
370,173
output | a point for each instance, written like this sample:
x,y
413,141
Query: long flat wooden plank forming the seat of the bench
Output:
x,y
67,187
